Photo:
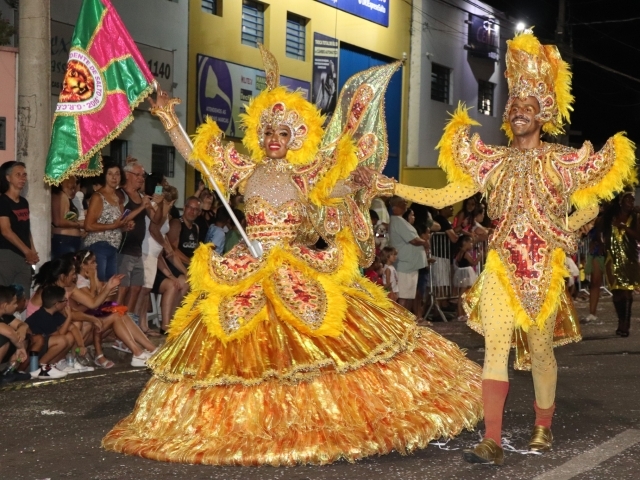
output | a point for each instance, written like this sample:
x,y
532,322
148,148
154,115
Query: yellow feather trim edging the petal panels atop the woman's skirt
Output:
x,y
207,294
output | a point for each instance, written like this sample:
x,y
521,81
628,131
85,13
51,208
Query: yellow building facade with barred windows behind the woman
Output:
x,y
319,44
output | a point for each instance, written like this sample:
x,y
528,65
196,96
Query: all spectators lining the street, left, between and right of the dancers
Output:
x,y
119,243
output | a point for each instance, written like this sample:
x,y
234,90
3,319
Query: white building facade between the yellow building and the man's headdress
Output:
x,y
457,55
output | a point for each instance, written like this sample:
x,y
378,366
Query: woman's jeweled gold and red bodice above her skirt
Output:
x,y
272,206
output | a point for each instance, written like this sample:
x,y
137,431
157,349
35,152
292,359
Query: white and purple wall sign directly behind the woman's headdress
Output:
x,y
224,88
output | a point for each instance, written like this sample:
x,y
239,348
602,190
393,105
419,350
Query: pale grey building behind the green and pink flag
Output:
x,y
159,27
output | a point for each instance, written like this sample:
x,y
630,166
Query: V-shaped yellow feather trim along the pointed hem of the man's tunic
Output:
x,y
551,300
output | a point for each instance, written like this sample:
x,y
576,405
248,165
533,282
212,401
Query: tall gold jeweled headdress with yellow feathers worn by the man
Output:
x,y
536,70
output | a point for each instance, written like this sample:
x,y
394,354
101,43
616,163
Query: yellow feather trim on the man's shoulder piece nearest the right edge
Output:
x,y
621,174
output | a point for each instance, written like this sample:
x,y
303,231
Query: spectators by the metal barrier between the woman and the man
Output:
x,y
411,263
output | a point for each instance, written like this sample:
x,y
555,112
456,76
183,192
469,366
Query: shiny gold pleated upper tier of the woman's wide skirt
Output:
x,y
370,334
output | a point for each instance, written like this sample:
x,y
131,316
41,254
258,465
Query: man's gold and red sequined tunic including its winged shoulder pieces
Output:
x,y
528,196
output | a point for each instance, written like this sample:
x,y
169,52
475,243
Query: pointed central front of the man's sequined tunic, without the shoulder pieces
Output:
x,y
529,204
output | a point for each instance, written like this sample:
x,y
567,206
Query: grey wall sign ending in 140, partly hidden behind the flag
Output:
x,y
160,61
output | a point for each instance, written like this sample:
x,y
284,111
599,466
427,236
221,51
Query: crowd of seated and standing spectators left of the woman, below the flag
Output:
x,y
116,239
